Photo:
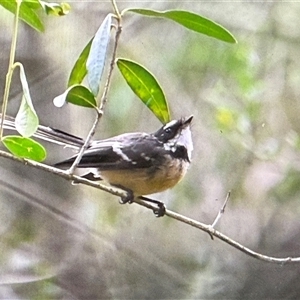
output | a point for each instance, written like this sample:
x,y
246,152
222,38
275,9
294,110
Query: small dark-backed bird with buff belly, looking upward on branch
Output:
x,y
139,163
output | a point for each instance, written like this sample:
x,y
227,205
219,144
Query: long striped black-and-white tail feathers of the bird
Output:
x,y
48,134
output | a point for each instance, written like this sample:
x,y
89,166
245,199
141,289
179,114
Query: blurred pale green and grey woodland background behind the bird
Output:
x,y
59,241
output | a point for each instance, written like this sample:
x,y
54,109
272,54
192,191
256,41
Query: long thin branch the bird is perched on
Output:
x,y
191,222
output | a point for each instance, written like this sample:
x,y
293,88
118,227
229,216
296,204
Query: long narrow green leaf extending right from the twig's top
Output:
x,y
191,21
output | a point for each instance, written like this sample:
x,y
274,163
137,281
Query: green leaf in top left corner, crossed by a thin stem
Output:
x,y
27,14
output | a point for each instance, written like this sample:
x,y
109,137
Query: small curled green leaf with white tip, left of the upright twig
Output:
x,y
78,95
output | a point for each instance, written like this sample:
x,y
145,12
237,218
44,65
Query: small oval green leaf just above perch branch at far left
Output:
x,y
24,147
